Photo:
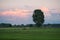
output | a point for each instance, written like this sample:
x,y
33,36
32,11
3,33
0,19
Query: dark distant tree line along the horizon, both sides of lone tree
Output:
x,y
3,25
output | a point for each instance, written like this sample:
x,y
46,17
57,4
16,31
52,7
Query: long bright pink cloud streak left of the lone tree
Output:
x,y
16,12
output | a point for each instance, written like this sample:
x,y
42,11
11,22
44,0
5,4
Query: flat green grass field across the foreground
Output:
x,y
29,33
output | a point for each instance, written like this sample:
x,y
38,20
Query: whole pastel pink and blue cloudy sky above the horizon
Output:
x,y
21,11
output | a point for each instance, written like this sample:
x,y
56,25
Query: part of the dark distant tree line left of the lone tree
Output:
x,y
10,25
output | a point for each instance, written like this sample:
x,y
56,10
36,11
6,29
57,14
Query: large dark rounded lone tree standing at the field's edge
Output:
x,y
38,17
